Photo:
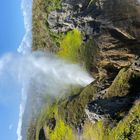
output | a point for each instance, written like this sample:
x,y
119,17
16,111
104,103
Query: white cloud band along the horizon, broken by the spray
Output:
x,y
24,48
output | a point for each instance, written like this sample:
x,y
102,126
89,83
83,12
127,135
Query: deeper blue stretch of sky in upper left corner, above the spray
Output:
x,y
11,25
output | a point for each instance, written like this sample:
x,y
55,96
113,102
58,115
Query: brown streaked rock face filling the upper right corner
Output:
x,y
119,39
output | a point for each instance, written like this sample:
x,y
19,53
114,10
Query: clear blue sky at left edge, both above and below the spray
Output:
x,y
11,34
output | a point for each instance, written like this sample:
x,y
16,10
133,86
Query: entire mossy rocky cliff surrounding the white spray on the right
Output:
x,y
106,41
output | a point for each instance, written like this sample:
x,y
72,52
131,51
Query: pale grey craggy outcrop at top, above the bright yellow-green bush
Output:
x,y
74,14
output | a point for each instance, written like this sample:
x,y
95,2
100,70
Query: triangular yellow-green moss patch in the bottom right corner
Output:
x,y
129,127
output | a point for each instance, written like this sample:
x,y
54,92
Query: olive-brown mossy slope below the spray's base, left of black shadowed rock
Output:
x,y
72,111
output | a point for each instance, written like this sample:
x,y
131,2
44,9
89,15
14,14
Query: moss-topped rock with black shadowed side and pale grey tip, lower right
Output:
x,y
119,97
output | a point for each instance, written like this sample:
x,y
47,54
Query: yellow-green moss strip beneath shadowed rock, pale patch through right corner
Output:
x,y
126,129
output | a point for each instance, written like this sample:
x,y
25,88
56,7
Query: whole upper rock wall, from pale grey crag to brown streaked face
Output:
x,y
114,26
